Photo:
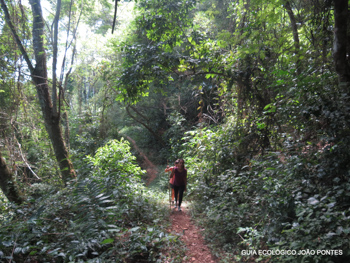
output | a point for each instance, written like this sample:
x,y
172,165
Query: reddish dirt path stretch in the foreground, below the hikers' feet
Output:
x,y
197,251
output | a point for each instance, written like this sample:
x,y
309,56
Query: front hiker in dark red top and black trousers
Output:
x,y
180,182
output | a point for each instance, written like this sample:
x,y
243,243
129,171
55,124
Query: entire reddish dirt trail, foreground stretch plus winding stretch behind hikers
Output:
x,y
197,251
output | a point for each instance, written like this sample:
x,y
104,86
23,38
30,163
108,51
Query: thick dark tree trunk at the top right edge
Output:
x,y
340,42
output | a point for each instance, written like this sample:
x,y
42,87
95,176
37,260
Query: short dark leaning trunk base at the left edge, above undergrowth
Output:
x,y
7,183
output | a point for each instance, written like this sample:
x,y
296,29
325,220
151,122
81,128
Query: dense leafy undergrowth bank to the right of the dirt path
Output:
x,y
297,199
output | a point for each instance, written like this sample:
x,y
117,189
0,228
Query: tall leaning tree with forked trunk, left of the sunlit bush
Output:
x,y
39,77
